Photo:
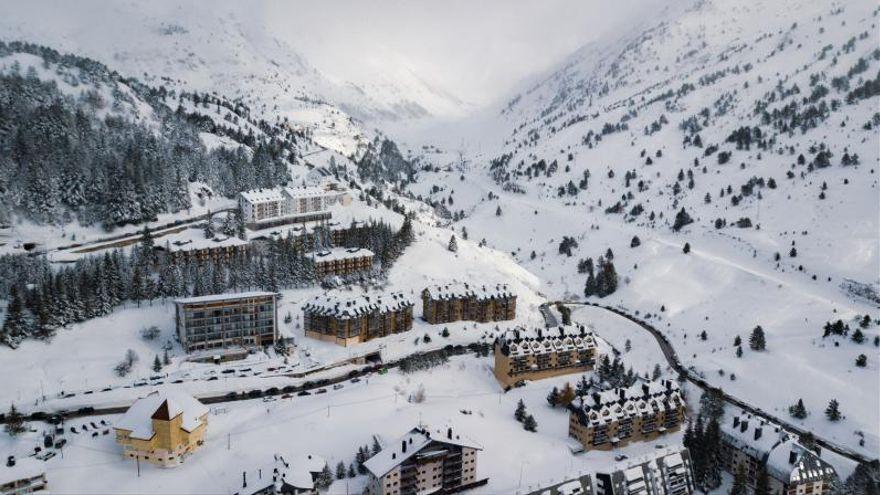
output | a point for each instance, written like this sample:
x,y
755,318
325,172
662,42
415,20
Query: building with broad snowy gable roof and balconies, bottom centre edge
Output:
x,y
424,461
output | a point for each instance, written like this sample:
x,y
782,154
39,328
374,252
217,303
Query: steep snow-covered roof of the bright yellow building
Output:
x,y
165,405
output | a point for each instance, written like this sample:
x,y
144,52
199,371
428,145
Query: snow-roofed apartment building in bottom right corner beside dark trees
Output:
x,y
756,443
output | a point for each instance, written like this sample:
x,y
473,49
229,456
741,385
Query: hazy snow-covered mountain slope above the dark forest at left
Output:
x,y
228,50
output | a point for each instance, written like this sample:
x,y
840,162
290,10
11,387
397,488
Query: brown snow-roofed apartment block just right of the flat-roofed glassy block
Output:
x,y
347,321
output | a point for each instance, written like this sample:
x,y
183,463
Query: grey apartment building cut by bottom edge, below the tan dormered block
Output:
x,y
664,472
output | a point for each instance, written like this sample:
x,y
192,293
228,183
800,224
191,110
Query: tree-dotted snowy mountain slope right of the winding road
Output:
x,y
759,120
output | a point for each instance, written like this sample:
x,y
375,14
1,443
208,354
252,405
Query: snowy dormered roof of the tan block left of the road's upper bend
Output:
x,y
524,342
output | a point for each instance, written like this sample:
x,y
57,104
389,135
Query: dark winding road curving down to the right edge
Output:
x,y
674,363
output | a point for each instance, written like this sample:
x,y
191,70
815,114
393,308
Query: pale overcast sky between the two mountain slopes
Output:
x,y
475,50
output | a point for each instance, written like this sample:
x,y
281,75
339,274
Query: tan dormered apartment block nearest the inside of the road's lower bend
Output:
x,y
614,418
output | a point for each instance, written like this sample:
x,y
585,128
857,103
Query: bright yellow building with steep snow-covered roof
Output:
x,y
162,428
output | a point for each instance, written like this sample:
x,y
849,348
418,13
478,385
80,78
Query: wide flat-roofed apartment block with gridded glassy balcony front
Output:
x,y
222,321
